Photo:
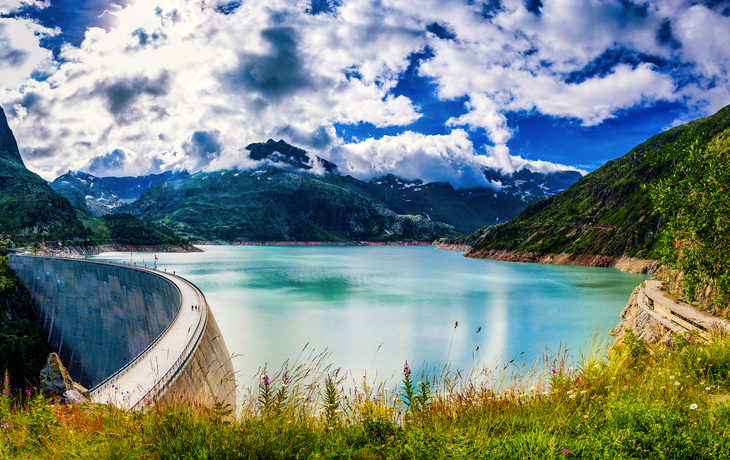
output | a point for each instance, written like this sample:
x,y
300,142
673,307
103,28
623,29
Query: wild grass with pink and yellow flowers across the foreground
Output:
x,y
635,402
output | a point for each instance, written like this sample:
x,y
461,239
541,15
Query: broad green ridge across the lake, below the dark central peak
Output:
x,y
276,205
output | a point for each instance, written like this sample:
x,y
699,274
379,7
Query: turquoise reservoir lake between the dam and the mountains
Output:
x,y
373,308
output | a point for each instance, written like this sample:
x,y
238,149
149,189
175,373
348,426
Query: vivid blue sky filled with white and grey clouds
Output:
x,y
434,90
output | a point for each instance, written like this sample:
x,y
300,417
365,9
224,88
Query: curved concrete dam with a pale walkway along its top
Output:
x,y
129,333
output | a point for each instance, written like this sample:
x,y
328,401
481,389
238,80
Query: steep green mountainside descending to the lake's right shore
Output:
x,y
607,212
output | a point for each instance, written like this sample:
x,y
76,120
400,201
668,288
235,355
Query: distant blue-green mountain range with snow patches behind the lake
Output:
x,y
297,196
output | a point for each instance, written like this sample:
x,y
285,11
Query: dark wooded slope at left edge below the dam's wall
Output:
x,y
23,349
